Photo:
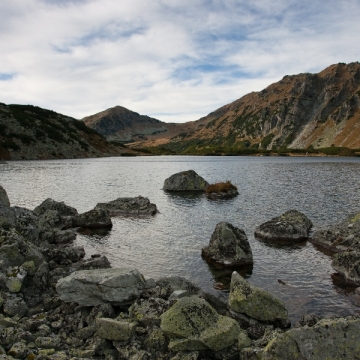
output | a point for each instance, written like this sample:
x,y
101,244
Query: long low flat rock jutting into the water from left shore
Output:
x,y
129,206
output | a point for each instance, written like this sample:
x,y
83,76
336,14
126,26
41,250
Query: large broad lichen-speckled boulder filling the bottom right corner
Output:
x,y
328,339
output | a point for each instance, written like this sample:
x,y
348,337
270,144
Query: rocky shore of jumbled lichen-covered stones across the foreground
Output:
x,y
57,305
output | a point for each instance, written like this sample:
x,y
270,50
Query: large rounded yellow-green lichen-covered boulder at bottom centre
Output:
x,y
192,324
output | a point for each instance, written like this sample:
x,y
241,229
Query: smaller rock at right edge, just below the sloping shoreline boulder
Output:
x,y
347,263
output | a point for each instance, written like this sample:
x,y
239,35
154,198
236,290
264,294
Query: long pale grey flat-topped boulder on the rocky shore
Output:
x,y
93,287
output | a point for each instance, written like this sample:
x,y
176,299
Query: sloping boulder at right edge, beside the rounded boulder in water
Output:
x,y
340,236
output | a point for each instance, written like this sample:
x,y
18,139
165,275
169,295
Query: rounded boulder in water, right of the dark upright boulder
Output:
x,y
289,227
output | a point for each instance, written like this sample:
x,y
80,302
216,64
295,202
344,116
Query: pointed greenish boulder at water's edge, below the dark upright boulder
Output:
x,y
252,301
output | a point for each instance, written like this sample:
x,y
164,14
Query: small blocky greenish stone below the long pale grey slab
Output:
x,y
117,330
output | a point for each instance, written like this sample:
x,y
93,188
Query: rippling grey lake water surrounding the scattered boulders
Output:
x,y
325,189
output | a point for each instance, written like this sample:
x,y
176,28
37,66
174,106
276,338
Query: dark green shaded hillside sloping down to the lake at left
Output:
x,y
29,133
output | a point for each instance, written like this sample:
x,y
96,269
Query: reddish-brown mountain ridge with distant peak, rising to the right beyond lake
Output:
x,y
298,112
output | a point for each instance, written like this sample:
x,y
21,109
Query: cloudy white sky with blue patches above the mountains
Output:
x,y
175,60
